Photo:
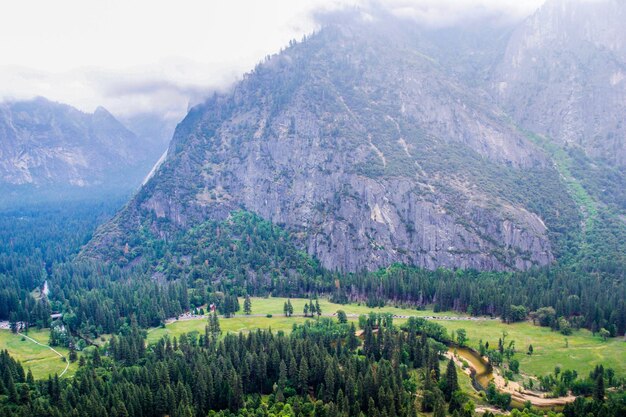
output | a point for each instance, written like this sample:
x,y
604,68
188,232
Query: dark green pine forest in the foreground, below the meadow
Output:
x,y
320,369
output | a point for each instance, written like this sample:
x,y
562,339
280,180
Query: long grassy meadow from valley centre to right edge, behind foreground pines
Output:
x,y
584,350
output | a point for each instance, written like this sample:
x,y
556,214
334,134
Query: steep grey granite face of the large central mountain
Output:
x,y
365,148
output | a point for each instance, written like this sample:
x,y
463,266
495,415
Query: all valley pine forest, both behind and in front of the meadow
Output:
x,y
320,368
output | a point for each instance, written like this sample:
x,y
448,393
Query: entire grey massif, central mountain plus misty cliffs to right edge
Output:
x,y
381,141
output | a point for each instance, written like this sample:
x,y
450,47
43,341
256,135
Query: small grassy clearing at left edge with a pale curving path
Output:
x,y
41,360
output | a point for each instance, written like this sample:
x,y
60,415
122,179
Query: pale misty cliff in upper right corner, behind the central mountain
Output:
x,y
564,75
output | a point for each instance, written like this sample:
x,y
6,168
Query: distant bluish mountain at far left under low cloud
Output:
x,y
48,148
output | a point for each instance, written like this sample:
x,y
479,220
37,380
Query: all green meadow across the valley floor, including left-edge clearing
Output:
x,y
580,351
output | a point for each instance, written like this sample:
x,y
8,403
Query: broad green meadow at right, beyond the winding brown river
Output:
x,y
583,353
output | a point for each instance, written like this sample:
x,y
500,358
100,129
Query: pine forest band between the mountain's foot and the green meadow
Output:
x,y
247,255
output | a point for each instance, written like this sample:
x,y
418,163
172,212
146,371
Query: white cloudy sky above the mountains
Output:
x,y
135,56
